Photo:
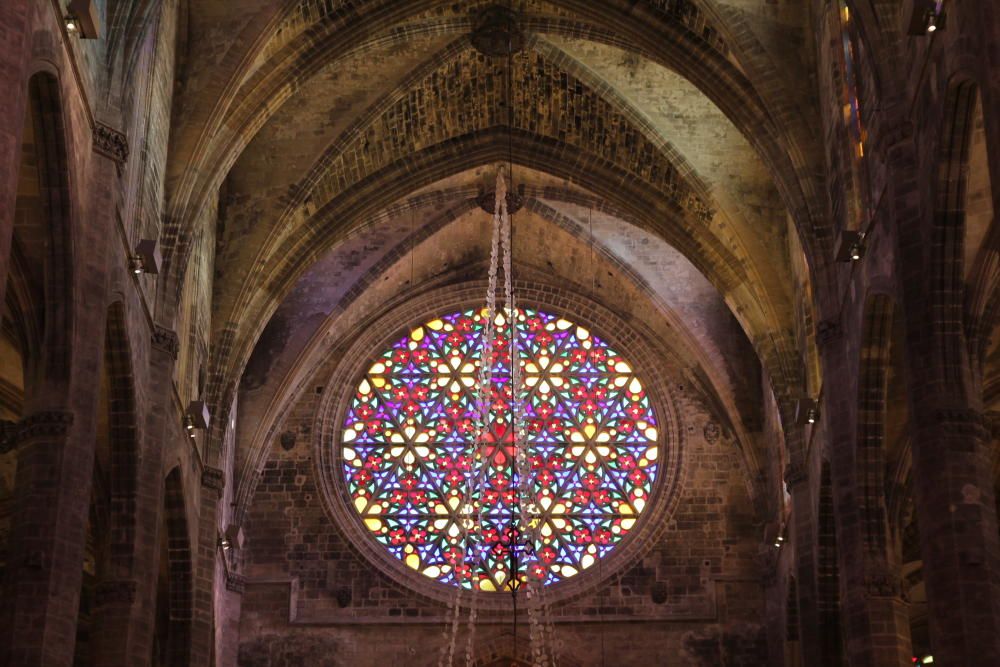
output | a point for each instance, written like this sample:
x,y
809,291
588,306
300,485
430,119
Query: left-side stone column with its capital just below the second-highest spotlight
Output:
x,y
125,618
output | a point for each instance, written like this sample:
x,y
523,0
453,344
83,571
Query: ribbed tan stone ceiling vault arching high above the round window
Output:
x,y
315,120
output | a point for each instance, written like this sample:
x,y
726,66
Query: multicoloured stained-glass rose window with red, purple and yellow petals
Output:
x,y
408,437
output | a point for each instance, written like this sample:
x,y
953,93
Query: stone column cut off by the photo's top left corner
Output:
x,y
15,55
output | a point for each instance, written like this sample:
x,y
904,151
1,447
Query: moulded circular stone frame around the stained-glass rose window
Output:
x,y
638,348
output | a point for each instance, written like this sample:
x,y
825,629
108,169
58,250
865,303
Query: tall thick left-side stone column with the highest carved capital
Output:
x,y
56,449
